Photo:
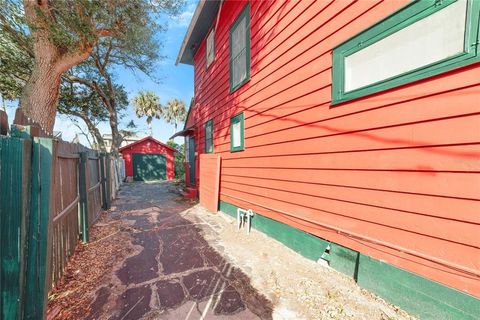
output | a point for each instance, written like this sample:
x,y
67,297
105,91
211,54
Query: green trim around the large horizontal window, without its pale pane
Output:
x,y
404,17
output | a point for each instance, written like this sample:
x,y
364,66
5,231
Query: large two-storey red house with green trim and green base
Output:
x,y
351,129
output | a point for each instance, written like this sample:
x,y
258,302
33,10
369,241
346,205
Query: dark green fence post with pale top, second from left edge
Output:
x,y
39,233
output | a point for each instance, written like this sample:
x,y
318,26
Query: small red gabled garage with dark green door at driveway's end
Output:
x,y
148,159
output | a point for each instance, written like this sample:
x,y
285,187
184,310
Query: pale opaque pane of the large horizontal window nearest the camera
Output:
x,y
432,39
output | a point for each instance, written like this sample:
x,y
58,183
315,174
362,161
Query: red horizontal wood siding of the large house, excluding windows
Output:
x,y
395,175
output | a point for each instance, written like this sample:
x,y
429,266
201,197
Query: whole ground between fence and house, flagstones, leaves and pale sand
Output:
x,y
155,255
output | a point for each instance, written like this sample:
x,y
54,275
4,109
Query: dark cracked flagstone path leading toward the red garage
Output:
x,y
173,272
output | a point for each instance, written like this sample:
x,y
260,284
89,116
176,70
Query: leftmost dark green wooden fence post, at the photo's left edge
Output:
x,y
15,160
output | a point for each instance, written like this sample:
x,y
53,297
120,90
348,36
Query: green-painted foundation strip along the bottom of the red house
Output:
x,y
417,295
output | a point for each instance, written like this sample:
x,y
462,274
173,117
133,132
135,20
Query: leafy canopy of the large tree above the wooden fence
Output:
x,y
120,33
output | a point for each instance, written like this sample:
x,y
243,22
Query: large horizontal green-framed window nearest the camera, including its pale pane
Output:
x,y
422,39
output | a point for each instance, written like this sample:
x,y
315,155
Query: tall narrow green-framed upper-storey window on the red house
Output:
x,y
240,50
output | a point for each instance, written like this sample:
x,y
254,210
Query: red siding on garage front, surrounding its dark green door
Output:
x,y
148,146
